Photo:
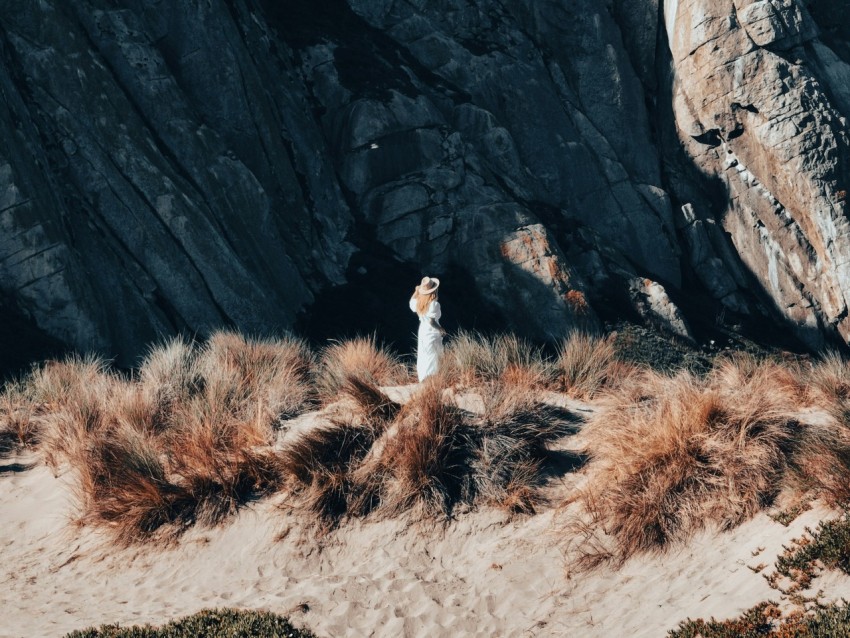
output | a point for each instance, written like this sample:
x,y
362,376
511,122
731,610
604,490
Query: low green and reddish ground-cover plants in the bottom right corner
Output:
x,y
766,619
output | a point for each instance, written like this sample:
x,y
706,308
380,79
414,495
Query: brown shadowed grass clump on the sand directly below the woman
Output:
x,y
427,456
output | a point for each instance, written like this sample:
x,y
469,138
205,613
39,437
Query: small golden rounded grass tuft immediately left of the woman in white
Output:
x,y
362,358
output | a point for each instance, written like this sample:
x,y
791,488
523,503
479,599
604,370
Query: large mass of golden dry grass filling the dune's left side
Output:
x,y
184,441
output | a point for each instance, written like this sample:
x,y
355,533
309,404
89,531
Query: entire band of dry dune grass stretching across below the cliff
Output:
x,y
194,433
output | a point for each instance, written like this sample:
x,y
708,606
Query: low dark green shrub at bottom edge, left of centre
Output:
x,y
209,623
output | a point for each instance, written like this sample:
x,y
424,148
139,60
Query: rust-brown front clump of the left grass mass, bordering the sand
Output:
x,y
141,484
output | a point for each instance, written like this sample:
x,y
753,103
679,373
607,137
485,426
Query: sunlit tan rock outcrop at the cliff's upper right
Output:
x,y
752,110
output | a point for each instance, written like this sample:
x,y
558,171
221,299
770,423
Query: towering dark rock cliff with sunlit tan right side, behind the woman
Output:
x,y
183,166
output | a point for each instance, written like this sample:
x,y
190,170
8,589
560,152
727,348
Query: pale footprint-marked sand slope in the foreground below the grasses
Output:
x,y
480,575
